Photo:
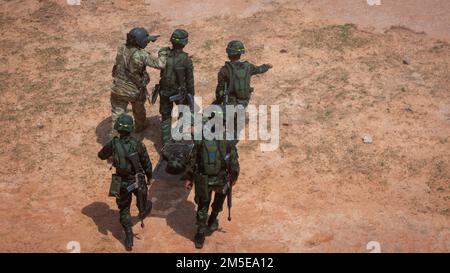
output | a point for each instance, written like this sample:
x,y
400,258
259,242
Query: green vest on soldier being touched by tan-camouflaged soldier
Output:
x,y
169,81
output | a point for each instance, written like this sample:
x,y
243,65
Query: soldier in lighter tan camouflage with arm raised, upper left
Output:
x,y
131,78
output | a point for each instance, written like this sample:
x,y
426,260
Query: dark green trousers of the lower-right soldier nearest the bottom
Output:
x,y
203,198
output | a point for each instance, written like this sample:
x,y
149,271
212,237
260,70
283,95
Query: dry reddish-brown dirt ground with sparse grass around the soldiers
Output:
x,y
339,72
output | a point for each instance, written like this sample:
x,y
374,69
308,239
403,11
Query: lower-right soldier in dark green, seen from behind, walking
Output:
x,y
216,169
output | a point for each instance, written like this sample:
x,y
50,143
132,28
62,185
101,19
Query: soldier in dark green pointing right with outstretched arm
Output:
x,y
236,74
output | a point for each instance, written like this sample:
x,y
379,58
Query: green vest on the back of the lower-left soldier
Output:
x,y
122,147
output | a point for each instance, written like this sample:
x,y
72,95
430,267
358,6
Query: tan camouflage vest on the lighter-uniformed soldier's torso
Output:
x,y
122,71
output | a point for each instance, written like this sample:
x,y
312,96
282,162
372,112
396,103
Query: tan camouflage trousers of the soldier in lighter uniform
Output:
x,y
119,106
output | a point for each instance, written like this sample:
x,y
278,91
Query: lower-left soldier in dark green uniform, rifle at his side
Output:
x,y
130,158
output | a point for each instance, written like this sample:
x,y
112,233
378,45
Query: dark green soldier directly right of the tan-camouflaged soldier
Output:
x,y
177,81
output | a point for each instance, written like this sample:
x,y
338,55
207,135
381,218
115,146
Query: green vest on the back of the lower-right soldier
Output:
x,y
212,159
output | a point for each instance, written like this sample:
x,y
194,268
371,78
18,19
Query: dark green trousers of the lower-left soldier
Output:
x,y
124,203
